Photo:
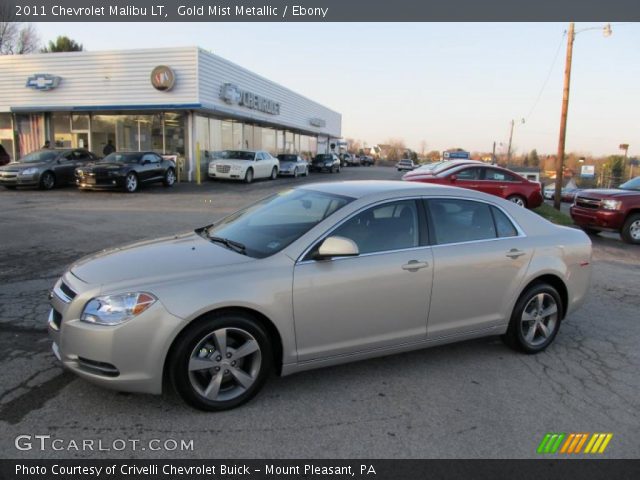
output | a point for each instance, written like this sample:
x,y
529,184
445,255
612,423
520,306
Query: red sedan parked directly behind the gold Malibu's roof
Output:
x,y
488,179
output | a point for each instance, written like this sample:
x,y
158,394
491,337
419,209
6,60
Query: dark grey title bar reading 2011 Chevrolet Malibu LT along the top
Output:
x,y
317,10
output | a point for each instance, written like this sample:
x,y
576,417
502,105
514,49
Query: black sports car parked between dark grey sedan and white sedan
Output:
x,y
126,170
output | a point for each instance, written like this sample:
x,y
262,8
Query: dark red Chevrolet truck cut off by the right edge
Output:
x,y
614,209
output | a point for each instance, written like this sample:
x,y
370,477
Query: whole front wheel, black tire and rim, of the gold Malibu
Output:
x,y
236,378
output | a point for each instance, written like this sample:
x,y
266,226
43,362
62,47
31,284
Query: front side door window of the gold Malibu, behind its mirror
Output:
x,y
391,226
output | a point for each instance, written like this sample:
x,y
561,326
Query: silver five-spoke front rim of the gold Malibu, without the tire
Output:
x,y
224,364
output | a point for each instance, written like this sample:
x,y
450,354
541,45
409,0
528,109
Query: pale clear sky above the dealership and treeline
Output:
x,y
451,85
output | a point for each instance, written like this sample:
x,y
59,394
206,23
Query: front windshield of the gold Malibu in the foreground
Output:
x,y
268,226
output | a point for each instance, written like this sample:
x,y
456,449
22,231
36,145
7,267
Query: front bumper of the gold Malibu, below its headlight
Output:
x,y
127,357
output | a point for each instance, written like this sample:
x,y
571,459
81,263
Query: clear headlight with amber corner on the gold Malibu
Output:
x,y
116,309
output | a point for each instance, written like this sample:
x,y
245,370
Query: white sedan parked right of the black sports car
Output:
x,y
245,165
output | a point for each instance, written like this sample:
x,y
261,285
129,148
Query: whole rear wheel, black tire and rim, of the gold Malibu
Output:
x,y
529,332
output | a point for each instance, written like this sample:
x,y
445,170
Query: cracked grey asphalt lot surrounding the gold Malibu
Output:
x,y
474,399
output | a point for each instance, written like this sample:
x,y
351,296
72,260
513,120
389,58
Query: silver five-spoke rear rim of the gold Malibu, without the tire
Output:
x,y
539,319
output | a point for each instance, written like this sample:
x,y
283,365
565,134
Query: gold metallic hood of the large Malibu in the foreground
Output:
x,y
154,259
